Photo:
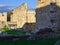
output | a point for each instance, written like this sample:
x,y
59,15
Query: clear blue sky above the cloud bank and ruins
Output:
x,y
15,3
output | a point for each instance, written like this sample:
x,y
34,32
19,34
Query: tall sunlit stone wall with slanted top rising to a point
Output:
x,y
19,15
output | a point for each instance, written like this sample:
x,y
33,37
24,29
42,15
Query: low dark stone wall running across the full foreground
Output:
x,y
30,37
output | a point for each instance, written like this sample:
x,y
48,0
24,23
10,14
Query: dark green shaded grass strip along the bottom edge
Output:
x,y
30,42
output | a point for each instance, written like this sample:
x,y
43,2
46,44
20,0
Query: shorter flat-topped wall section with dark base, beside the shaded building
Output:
x,y
31,20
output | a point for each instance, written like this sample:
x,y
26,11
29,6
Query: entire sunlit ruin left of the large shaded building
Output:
x,y
19,17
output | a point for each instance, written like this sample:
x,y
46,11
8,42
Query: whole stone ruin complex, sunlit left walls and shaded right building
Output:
x,y
46,15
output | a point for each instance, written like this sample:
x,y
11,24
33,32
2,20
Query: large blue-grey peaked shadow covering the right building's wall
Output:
x,y
48,16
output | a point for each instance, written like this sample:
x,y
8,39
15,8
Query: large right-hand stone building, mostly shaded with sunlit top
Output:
x,y
48,14
